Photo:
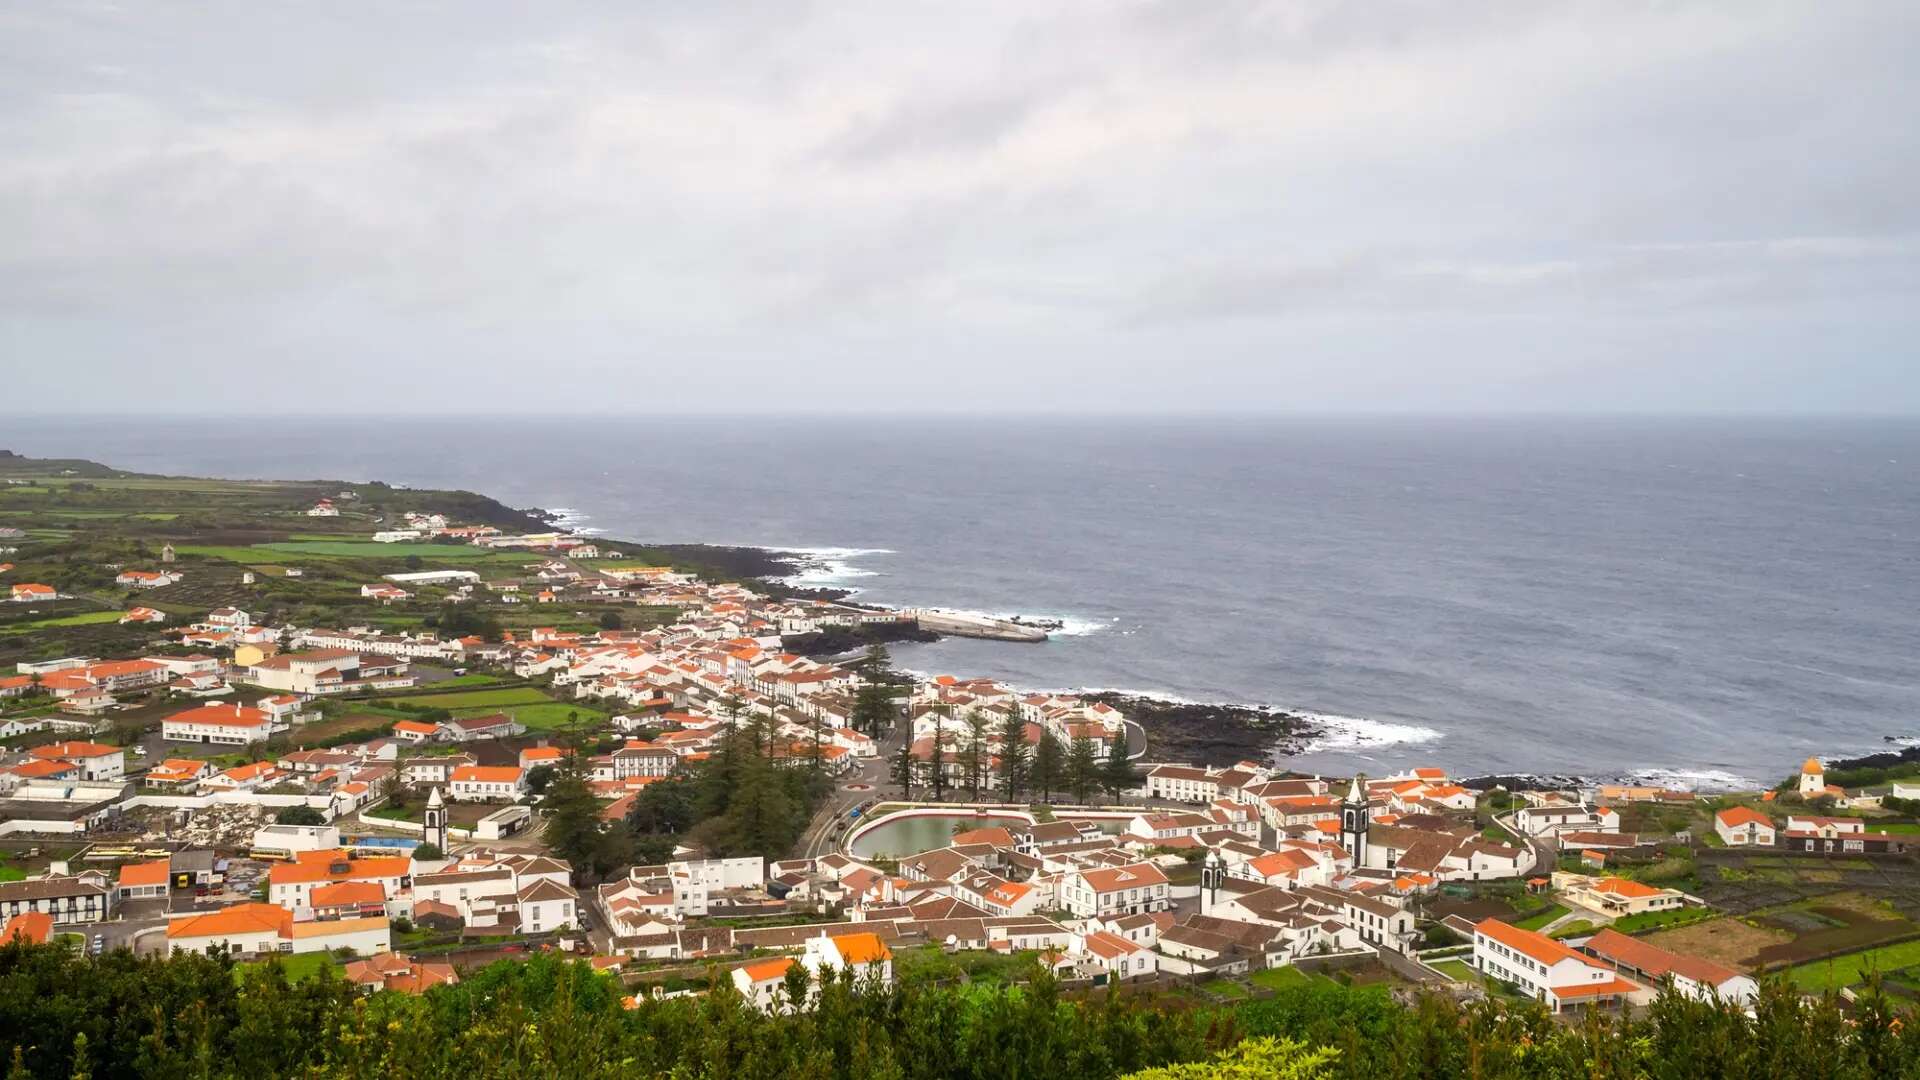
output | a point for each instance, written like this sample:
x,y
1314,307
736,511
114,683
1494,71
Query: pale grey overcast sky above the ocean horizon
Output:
x,y
1028,207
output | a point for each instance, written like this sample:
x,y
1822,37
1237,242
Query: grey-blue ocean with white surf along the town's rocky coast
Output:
x,y
1702,597
